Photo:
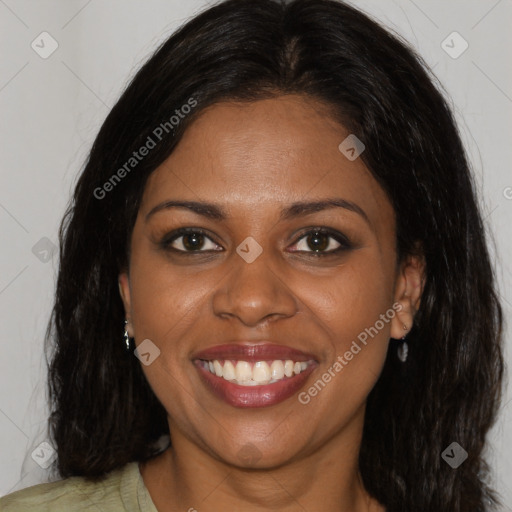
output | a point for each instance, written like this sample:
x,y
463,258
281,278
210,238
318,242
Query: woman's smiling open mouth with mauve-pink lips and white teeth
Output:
x,y
254,375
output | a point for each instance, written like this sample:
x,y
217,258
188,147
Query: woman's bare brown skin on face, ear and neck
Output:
x,y
253,159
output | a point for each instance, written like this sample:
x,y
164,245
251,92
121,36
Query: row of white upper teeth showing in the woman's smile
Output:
x,y
257,373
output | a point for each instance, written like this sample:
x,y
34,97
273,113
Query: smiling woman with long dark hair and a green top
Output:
x,y
279,215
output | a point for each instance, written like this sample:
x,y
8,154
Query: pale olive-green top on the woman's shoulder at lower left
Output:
x,y
122,489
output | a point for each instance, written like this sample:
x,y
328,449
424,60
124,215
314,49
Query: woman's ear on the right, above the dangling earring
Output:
x,y
409,286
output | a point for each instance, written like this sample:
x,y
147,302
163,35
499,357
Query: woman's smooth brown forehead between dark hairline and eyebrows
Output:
x,y
259,156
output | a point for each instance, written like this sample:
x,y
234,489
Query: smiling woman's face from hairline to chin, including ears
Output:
x,y
253,271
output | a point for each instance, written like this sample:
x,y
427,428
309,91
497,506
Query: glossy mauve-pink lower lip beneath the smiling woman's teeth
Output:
x,y
253,396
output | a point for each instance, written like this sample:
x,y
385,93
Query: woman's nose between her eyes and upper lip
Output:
x,y
254,293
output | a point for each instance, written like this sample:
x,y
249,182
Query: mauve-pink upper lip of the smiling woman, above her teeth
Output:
x,y
244,351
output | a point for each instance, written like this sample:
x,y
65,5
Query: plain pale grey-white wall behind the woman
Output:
x,y
51,110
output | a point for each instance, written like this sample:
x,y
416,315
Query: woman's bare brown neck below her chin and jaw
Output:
x,y
326,477
